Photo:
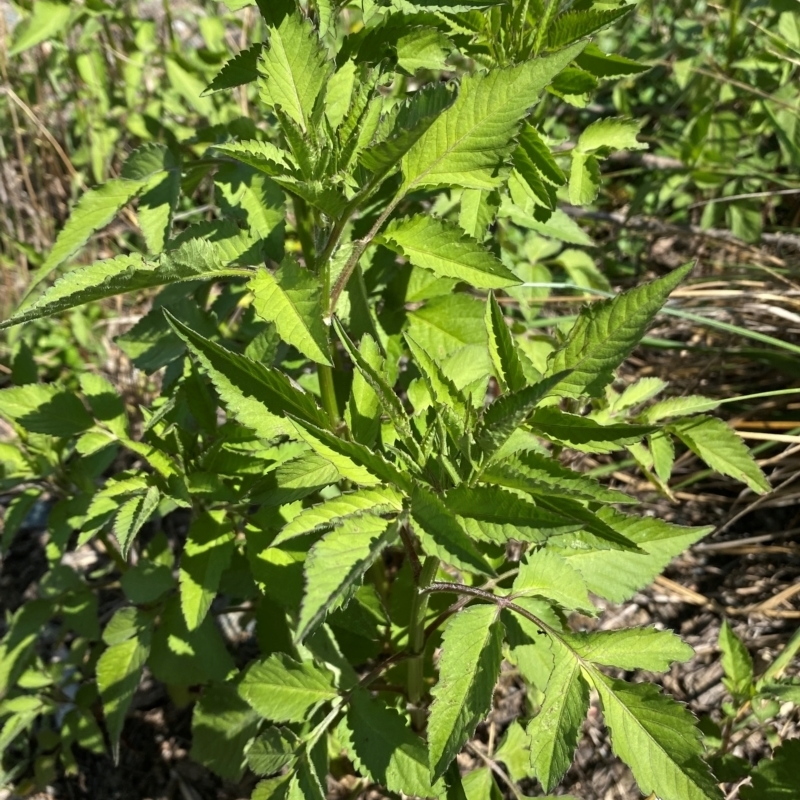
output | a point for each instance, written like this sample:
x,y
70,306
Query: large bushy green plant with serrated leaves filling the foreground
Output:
x,y
369,455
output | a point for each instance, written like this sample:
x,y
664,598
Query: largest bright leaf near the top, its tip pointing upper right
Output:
x,y
468,144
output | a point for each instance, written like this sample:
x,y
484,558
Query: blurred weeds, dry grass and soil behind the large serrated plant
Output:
x,y
84,85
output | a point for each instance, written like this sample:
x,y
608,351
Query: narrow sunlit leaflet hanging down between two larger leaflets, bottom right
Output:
x,y
555,730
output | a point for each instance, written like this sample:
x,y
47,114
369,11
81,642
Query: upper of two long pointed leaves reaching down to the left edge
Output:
x,y
94,210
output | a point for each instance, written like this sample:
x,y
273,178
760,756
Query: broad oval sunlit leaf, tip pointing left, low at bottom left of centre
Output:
x,y
283,690
